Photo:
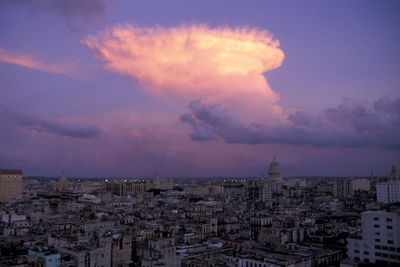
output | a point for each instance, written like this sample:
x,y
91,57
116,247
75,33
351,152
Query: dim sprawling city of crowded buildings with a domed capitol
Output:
x,y
258,221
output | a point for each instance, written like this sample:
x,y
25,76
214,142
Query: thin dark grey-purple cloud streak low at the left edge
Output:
x,y
40,126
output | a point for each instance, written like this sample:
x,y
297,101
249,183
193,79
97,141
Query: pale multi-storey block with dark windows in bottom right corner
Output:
x,y
380,240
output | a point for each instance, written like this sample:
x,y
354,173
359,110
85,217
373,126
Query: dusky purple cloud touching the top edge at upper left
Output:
x,y
75,13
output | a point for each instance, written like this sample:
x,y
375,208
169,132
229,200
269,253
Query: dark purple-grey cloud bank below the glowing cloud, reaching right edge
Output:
x,y
350,124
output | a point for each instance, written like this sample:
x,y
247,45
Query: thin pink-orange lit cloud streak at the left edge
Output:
x,y
28,62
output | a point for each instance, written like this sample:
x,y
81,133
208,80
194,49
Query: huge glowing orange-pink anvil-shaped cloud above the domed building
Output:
x,y
223,65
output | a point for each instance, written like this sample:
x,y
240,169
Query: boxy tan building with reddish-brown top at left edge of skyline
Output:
x,y
10,184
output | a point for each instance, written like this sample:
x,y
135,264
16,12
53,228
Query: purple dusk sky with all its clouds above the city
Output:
x,y
103,88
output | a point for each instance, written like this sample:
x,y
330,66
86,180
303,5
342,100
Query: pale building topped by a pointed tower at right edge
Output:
x,y
389,192
